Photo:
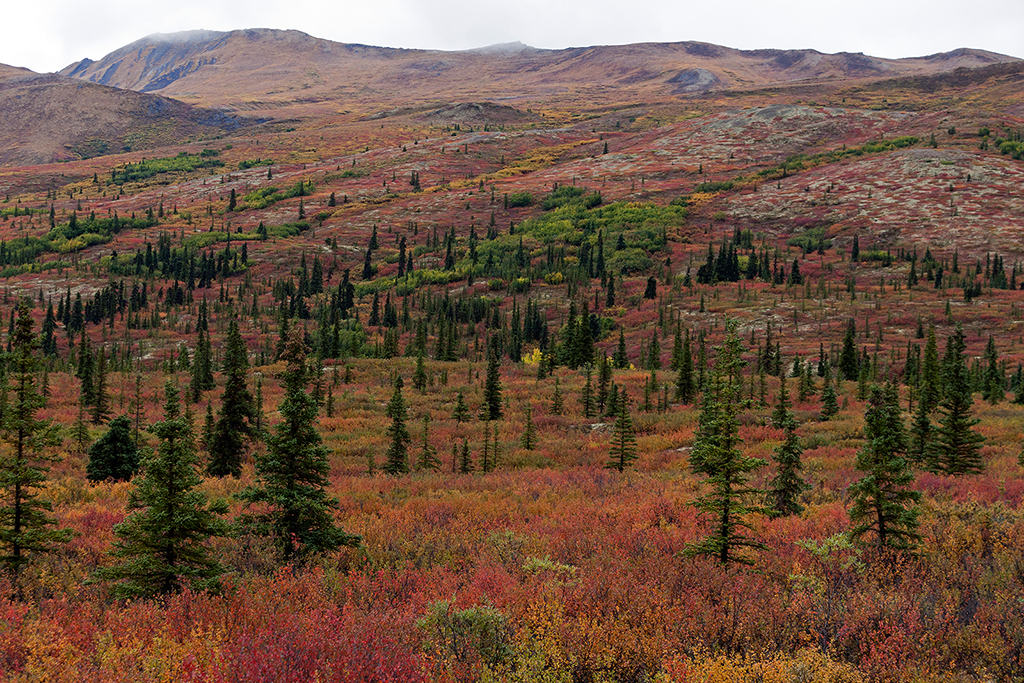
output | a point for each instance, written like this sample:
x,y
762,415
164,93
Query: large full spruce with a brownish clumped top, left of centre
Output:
x,y
292,476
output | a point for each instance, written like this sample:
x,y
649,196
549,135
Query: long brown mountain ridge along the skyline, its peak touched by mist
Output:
x,y
267,69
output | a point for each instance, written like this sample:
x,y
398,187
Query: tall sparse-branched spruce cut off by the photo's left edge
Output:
x,y
25,519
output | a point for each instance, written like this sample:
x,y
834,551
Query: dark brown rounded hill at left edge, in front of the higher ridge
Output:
x,y
47,118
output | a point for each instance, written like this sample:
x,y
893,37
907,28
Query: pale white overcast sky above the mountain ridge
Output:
x,y
48,35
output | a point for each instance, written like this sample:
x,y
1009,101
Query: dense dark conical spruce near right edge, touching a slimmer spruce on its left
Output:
x,y
956,448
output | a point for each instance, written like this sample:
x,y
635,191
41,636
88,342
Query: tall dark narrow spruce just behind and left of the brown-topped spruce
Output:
x,y
237,417
